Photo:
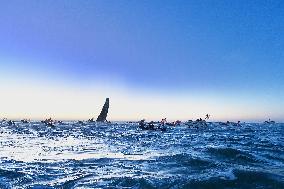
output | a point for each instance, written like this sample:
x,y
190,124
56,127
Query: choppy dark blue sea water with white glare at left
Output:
x,y
120,155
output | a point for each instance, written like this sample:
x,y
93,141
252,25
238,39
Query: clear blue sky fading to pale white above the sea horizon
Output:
x,y
154,59
